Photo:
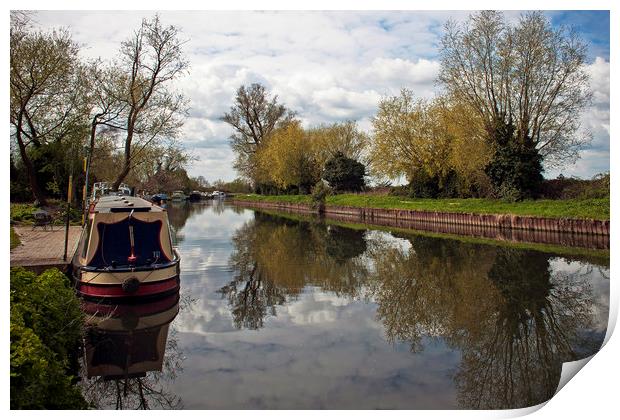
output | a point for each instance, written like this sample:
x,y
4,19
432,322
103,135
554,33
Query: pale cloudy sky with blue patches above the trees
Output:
x,y
327,66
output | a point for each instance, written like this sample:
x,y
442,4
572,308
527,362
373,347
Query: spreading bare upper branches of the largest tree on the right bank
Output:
x,y
531,76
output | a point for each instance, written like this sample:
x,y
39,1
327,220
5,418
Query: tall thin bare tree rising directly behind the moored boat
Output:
x,y
152,58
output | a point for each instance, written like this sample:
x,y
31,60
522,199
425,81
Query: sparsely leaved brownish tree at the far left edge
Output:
x,y
46,104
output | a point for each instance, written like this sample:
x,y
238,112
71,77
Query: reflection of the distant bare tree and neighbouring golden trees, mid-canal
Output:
x,y
274,259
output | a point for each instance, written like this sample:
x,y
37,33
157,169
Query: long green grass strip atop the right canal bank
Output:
x,y
597,208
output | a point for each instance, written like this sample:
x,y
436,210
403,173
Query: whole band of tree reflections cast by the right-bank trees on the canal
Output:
x,y
512,318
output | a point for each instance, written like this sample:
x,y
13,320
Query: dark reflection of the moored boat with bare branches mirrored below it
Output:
x,y
128,356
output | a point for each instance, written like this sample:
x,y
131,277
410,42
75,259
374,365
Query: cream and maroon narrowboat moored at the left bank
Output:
x,y
125,251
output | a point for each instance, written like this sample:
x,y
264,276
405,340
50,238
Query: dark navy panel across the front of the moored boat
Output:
x,y
114,246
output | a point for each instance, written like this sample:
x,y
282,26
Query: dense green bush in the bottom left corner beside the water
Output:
x,y
46,326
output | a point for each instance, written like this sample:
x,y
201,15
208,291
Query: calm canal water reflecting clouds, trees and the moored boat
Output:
x,y
293,312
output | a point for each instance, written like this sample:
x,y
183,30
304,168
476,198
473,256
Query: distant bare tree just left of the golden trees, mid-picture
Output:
x,y
253,116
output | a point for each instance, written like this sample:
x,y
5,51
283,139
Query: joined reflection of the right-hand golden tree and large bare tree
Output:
x,y
514,321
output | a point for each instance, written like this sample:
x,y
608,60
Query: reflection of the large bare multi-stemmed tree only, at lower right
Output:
x,y
536,327
